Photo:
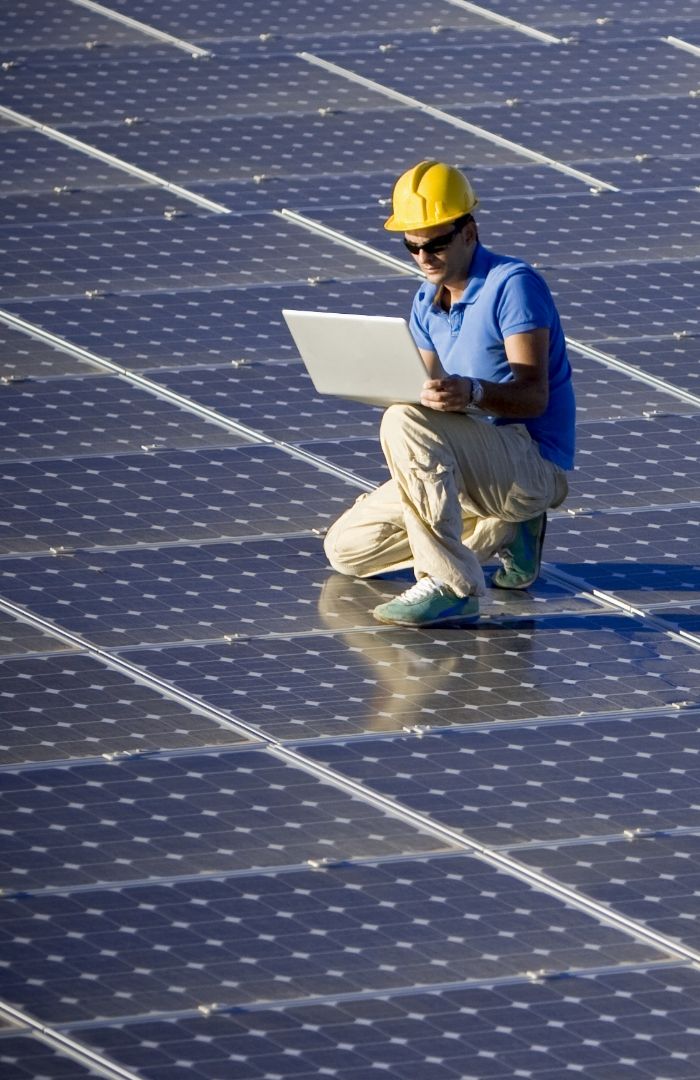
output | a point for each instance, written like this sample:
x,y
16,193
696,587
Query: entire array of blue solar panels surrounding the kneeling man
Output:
x,y
248,832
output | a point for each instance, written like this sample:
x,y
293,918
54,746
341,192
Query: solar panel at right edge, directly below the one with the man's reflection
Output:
x,y
547,785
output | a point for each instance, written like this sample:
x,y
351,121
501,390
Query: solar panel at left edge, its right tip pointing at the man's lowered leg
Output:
x,y
164,497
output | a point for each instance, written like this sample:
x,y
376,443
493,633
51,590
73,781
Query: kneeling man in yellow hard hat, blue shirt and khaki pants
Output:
x,y
477,465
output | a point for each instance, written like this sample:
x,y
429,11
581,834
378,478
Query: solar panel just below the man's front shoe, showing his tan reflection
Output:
x,y
359,682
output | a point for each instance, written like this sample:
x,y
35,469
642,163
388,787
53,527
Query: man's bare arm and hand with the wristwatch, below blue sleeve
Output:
x,y
523,398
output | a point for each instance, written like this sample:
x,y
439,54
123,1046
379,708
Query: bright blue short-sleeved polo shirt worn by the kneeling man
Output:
x,y
504,296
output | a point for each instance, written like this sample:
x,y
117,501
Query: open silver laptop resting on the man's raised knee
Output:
x,y
370,359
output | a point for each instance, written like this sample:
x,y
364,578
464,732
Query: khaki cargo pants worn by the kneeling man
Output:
x,y
459,483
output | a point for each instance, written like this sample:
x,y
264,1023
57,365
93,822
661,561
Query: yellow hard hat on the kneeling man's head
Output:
x,y
430,194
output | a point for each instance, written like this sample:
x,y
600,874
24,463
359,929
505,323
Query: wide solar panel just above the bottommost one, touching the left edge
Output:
x,y
430,921
